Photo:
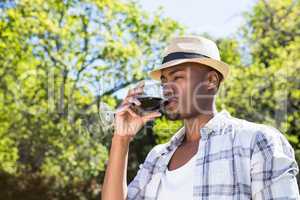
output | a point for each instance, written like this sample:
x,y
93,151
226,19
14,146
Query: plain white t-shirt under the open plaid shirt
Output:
x,y
177,184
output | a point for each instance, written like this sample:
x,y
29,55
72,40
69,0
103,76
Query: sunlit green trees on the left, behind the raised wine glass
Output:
x,y
59,60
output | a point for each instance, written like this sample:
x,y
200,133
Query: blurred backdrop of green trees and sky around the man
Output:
x,y
65,64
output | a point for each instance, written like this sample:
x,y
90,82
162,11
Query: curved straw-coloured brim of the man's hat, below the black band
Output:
x,y
220,66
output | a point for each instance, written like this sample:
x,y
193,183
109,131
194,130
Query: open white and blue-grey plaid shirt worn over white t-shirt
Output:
x,y
236,159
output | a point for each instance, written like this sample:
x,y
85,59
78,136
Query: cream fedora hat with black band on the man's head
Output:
x,y
191,49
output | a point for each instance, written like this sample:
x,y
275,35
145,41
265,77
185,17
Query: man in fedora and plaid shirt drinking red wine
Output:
x,y
214,156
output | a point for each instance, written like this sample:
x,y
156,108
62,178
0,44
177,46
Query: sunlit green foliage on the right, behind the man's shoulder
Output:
x,y
267,90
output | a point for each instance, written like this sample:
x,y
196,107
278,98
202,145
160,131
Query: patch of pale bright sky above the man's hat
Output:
x,y
219,18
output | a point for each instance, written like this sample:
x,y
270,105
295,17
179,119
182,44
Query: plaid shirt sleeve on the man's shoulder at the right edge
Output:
x,y
273,167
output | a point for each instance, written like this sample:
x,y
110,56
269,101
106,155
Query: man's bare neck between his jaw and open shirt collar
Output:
x,y
193,125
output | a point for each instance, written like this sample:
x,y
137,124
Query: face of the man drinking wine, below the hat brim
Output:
x,y
186,86
